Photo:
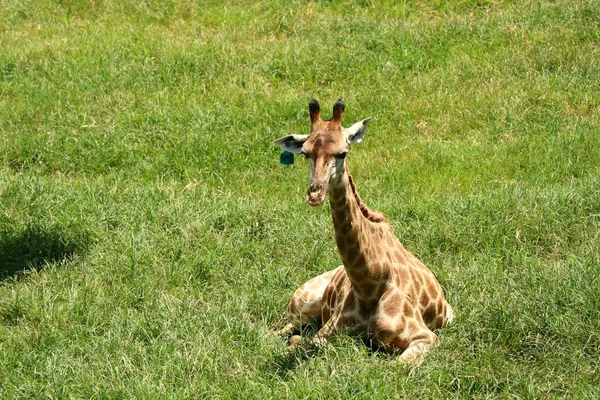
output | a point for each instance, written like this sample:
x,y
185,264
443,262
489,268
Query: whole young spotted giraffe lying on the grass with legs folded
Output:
x,y
382,292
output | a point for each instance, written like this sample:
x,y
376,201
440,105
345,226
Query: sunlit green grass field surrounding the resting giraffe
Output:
x,y
150,240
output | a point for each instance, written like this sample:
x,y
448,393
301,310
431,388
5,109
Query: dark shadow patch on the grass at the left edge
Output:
x,y
35,248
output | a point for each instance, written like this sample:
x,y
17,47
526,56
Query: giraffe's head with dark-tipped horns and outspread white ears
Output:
x,y
325,148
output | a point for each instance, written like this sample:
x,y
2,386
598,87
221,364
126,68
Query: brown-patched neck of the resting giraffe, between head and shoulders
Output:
x,y
358,233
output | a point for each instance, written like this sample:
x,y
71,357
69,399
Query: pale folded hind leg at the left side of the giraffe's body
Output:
x,y
305,305
